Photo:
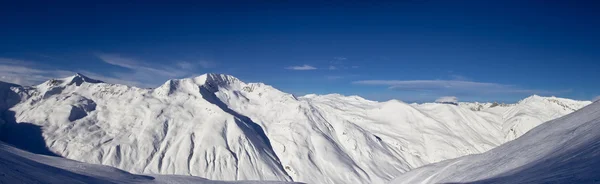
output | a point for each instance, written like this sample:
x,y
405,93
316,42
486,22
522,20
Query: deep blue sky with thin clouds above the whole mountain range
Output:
x,y
411,50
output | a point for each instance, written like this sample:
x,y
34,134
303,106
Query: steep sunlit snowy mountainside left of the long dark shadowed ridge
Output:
x,y
172,130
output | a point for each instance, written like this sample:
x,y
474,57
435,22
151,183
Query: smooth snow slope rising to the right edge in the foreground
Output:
x,y
565,150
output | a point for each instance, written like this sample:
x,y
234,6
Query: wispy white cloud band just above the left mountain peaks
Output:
x,y
139,73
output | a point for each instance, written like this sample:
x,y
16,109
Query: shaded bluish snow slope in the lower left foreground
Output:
x,y
17,166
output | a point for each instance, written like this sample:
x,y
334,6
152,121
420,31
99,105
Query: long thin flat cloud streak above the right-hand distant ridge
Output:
x,y
452,86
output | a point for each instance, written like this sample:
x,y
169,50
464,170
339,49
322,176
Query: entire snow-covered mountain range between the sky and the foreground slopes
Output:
x,y
218,127
